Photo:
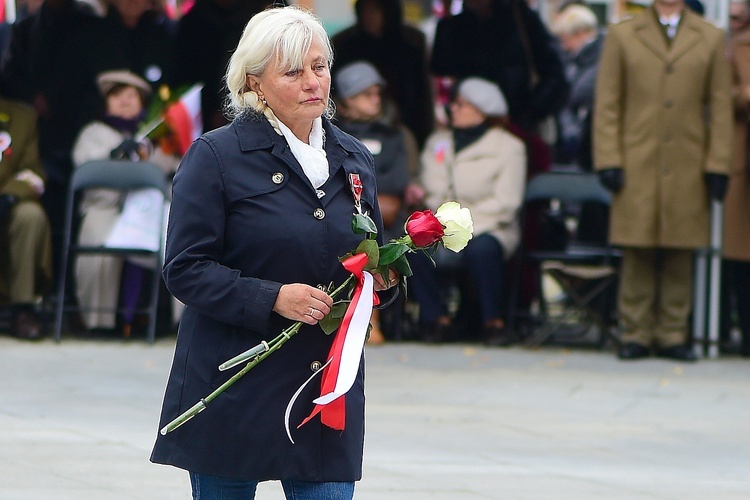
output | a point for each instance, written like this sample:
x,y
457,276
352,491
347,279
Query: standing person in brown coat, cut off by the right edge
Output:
x,y
737,206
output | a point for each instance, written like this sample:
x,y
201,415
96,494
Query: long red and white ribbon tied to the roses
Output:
x,y
340,370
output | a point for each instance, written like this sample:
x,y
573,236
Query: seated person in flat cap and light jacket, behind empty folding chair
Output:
x,y
98,277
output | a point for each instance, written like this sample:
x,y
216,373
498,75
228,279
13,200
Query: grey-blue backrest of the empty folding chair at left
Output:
x,y
123,175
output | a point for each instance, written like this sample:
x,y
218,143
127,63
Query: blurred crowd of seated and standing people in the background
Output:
x,y
466,107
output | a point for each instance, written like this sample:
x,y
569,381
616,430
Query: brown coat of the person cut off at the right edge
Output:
x,y
737,202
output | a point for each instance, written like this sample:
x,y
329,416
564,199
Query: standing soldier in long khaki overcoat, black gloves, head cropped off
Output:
x,y
662,145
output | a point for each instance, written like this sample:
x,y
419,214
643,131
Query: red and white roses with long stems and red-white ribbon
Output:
x,y
451,226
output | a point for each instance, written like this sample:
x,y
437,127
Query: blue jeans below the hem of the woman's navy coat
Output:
x,y
207,487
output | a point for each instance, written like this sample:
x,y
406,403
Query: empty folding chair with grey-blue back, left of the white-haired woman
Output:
x,y
122,176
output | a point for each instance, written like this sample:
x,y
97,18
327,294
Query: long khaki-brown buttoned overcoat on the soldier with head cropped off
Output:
x,y
663,113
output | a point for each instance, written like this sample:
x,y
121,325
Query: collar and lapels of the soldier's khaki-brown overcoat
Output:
x,y
651,34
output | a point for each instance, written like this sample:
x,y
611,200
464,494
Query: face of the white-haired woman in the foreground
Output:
x,y
297,96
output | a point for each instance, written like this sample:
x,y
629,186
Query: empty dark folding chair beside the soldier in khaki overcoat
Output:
x,y
585,271
